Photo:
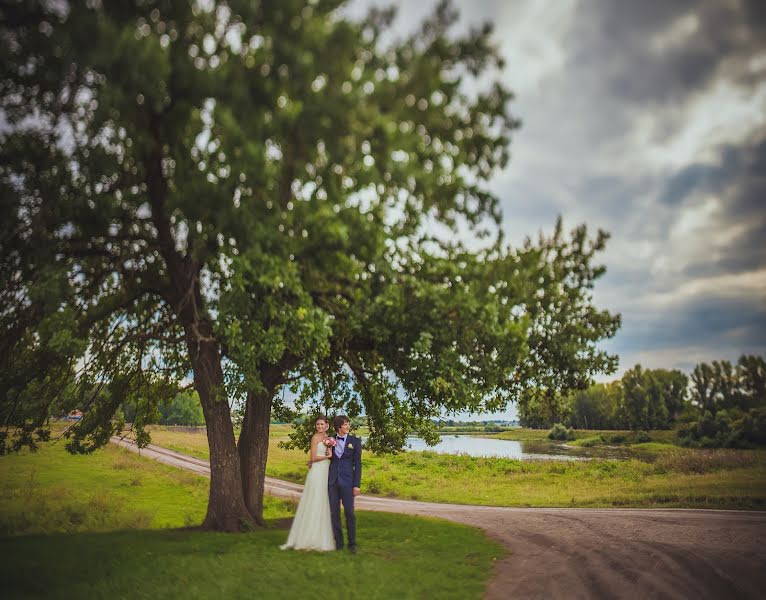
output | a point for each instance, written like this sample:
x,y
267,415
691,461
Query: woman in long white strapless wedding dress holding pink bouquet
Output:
x,y
312,528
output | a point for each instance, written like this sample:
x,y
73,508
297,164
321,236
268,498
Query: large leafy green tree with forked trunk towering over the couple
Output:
x,y
258,194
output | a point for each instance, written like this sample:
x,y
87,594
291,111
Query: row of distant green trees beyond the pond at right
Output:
x,y
709,404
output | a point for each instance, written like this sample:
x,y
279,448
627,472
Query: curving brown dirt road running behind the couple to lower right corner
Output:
x,y
588,553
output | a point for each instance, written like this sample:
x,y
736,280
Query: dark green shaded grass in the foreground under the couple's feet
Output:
x,y
399,556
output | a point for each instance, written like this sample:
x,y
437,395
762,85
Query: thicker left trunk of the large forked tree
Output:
x,y
226,509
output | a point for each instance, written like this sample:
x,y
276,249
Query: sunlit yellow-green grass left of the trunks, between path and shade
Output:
x,y
51,491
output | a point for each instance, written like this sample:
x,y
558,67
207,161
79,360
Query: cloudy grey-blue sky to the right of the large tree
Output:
x,y
647,120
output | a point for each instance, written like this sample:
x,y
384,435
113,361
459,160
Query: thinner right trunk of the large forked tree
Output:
x,y
254,449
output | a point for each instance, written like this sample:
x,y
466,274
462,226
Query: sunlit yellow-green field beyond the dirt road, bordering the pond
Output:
x,y
660,475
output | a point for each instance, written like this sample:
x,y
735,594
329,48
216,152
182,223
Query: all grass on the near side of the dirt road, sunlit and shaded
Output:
x,y
114,525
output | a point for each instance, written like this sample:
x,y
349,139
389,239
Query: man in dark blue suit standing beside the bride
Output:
x,y
344,481
